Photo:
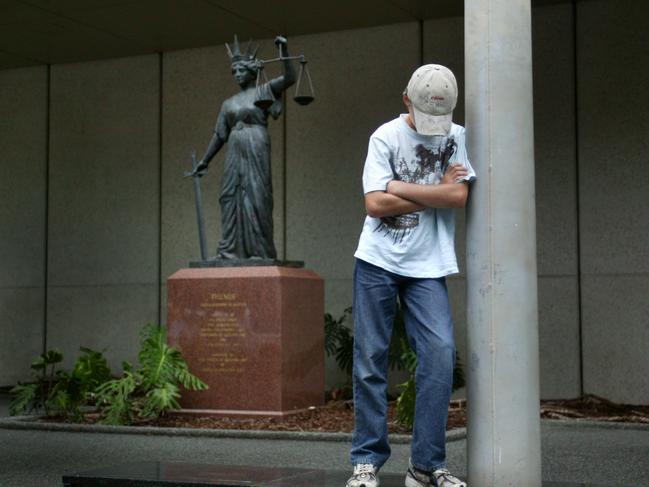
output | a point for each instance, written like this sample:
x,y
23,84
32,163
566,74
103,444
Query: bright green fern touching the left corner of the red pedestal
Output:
x,y
152,389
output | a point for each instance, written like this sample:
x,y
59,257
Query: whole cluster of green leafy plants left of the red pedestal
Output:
x,y
150,391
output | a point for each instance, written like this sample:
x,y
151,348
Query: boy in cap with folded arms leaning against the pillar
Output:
x,y
416,172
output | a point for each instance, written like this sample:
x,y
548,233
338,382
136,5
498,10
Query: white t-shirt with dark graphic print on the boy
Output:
x,y
419,244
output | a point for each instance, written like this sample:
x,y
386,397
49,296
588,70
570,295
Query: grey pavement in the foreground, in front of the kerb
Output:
x,y
611,457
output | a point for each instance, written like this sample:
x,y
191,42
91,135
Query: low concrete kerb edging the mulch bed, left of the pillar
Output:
x,y
34,423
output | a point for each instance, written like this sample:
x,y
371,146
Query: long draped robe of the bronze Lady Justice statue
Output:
x,y
246,191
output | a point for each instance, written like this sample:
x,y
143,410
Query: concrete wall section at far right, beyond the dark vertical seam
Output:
x,y
613,117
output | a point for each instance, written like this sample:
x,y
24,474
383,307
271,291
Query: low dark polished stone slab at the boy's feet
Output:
x,y
159,474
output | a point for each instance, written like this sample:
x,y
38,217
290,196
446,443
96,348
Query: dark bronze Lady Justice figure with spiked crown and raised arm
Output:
x,y
246,190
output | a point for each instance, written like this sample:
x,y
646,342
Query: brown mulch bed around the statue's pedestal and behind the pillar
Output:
x,y
338,416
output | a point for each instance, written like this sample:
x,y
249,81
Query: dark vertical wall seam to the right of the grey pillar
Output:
x,y
577,196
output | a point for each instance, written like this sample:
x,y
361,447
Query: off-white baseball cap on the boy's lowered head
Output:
x,y
432,90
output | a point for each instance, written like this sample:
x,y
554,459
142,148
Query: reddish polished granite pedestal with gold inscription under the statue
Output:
x,y
255,335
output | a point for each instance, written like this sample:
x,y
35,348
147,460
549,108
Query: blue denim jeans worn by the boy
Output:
x,y
429,326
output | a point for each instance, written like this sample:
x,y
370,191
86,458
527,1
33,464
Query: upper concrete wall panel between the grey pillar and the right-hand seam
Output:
x,y
554,140
